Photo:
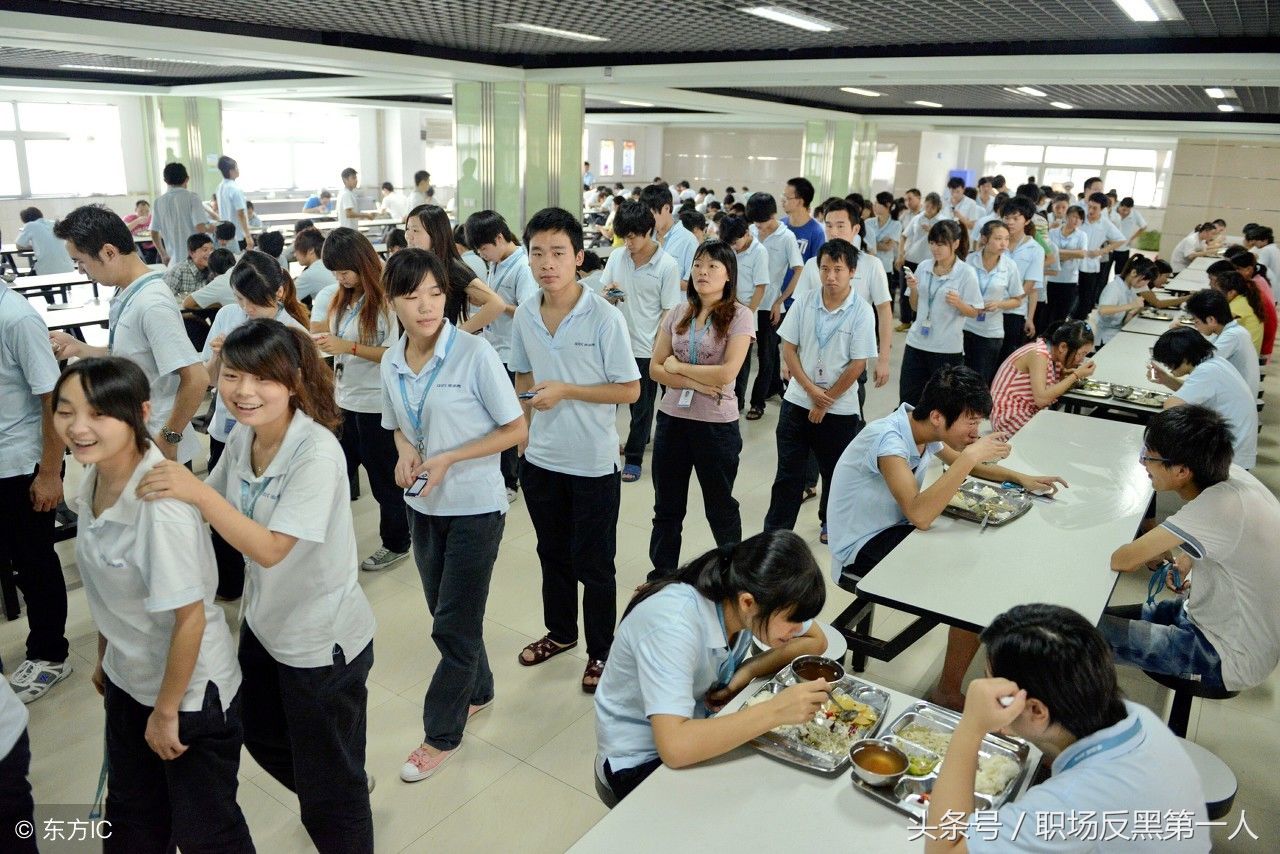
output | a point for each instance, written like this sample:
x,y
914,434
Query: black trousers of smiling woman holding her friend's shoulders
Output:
x,y
307,728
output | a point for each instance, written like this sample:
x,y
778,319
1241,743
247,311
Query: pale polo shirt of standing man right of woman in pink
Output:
x,y
826,342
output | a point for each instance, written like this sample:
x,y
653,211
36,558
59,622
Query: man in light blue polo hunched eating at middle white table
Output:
x,y
879,496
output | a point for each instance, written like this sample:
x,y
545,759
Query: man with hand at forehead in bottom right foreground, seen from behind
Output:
x,y
1052,681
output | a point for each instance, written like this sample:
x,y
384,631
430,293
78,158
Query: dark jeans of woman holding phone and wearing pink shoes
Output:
x,y
455,558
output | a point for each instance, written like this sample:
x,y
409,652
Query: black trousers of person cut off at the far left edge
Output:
x,y
28,546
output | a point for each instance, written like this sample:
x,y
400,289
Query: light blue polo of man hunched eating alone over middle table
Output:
x,y
861,504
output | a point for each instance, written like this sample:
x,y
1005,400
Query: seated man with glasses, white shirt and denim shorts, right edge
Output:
x,y
1223,628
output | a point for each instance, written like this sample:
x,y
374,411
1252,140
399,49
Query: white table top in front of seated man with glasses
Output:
x,y
1059,552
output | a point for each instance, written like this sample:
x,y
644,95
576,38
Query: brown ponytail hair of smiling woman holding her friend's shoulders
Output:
x,y
269,350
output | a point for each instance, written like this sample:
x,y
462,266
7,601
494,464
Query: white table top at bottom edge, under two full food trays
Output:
x,y
747,801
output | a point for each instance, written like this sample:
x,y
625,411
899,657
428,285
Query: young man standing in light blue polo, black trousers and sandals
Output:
x,y
570,349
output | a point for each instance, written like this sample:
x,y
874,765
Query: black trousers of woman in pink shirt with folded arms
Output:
x,y
682,449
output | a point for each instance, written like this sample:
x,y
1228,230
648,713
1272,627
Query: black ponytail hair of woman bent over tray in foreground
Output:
x,y
776,568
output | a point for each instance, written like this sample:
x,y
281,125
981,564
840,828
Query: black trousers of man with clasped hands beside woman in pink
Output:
x,y
798,439
